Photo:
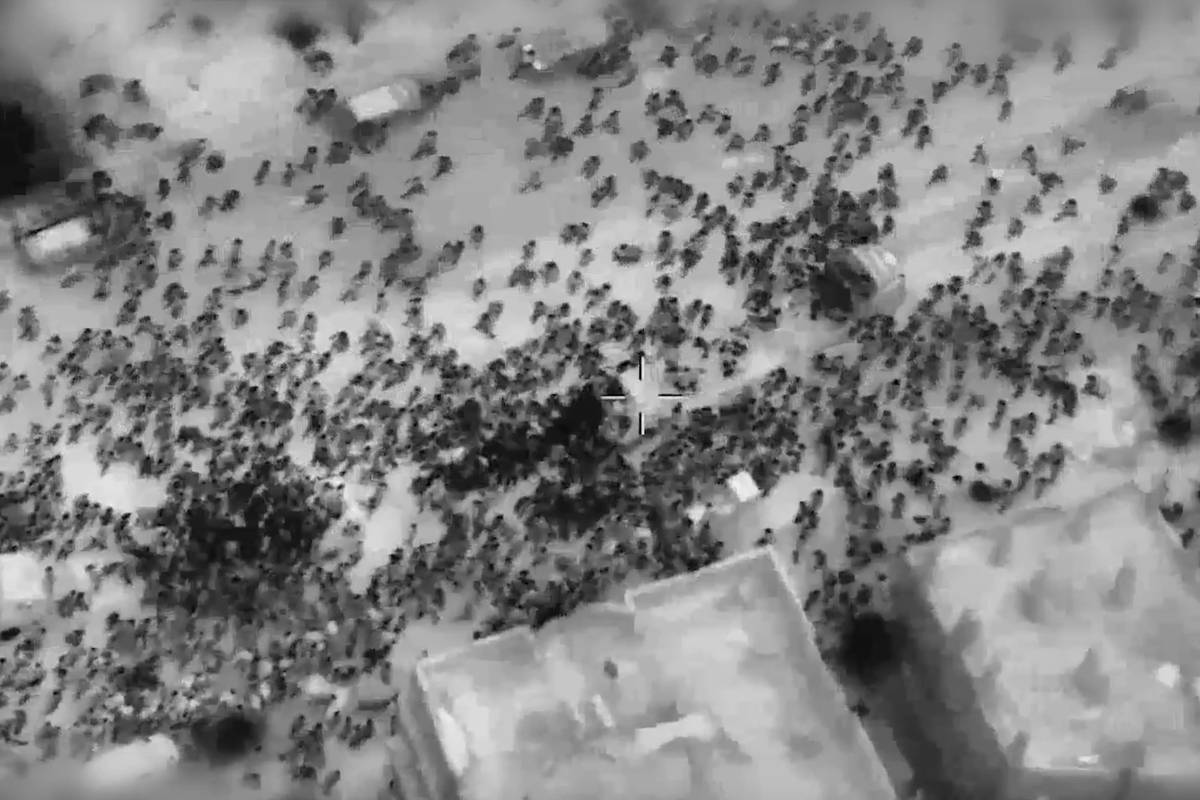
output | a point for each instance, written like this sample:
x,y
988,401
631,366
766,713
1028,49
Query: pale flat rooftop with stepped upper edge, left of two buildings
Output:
x,y
705,687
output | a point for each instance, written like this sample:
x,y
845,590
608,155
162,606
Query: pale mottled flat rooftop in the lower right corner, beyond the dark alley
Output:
x,y
1072,639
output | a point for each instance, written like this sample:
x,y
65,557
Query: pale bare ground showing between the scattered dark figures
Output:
x,y
244,93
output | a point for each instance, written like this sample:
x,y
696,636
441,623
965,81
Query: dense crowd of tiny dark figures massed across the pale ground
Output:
x,y
237,578
